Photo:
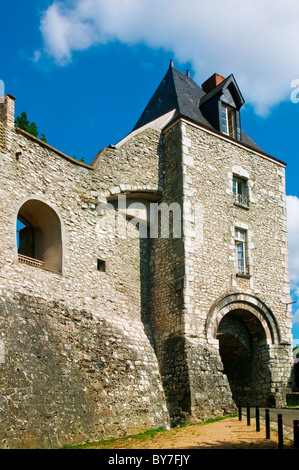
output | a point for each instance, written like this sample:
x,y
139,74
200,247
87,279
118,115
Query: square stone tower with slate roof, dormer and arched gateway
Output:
x,y
220,301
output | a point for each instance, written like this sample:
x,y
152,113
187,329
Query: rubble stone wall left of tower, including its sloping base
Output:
x,y
79,361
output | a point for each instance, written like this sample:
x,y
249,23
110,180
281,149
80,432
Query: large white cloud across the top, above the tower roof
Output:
x,y
256,40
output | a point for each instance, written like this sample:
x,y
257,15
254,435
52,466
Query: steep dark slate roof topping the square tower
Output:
x,y
178,91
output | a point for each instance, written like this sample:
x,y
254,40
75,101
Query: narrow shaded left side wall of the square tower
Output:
x,y
167,289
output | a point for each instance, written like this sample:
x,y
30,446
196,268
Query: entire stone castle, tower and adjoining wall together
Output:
x,y
148,288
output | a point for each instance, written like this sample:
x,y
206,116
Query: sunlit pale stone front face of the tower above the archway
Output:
x,y
209,165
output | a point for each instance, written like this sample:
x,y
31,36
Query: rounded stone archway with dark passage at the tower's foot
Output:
x,y
244,330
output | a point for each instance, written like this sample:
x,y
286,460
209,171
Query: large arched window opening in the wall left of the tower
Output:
x,y
39,236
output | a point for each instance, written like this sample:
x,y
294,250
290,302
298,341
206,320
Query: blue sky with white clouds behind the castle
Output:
x,y
84,70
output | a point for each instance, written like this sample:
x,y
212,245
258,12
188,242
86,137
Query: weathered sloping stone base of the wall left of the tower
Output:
x,y
69,378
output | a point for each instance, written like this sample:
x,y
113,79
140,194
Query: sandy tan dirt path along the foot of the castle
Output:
x,y
229,433
